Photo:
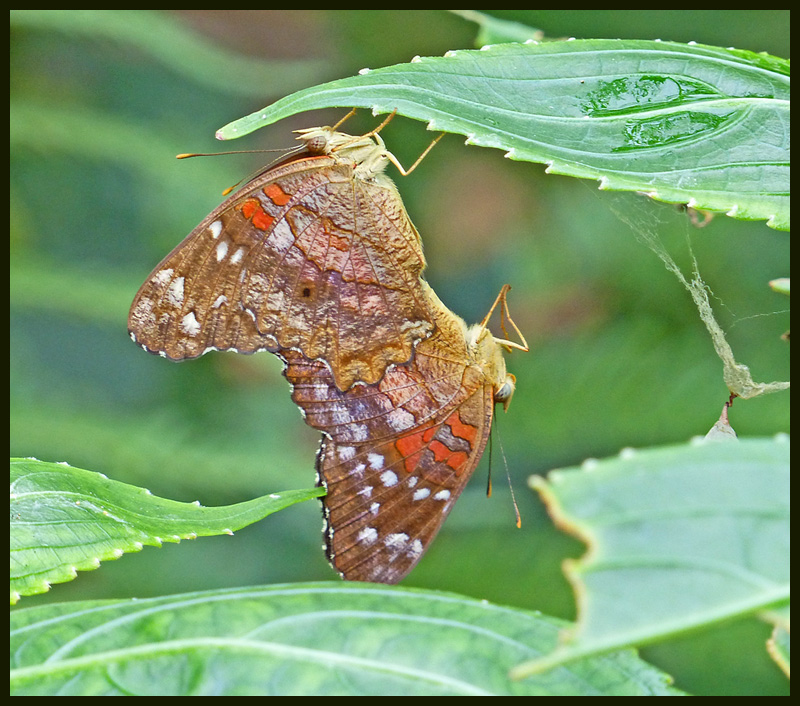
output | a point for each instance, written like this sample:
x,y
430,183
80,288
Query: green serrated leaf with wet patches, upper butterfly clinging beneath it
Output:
x,y
682,123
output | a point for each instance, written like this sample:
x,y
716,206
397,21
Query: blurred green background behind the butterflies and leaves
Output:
x,y
100,104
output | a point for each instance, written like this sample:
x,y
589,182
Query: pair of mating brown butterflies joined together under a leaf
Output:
x,y
316,260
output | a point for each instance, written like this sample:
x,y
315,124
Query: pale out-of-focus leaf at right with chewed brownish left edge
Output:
x,y
678,537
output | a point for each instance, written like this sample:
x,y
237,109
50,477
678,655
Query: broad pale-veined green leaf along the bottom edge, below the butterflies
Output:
x,y
303,639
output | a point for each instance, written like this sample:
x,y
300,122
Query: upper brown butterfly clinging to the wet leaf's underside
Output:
x,y
316,254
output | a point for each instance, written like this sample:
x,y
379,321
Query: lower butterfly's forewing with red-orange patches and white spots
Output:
x,y
383,508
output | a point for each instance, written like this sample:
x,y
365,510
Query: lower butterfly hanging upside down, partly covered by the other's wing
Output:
x,y
396,455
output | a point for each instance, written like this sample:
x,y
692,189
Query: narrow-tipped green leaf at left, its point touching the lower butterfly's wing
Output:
x,y
65,519
